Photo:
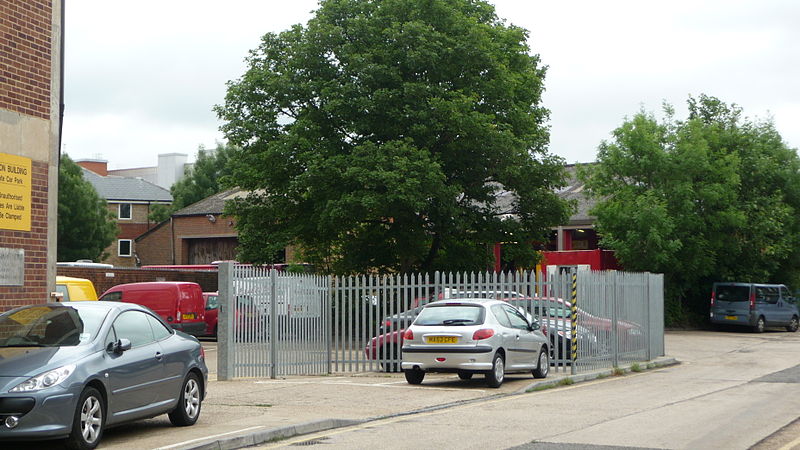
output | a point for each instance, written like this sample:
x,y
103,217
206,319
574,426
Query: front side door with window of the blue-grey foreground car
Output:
x,y
133,374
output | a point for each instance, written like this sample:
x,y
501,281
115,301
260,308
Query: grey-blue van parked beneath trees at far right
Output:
x,y
754,305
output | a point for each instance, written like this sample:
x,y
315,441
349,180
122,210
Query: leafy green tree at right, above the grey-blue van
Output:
x,y
710,198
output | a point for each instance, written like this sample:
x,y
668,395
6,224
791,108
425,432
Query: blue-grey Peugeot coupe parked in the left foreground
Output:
x,y
70,370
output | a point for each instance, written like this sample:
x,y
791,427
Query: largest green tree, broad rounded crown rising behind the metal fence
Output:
x,y
392,136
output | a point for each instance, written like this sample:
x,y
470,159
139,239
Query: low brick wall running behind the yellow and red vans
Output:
x,y
208,280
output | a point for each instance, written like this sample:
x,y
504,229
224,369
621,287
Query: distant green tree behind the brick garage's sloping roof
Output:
x,y
201,180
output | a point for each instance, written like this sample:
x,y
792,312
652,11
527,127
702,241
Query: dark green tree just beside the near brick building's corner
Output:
x,y
85,225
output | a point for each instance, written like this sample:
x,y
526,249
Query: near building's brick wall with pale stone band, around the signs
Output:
x,y
26,112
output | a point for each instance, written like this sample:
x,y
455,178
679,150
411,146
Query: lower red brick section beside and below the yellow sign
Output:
x,y
34,243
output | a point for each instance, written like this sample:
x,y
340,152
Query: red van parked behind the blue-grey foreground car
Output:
x,y
180,303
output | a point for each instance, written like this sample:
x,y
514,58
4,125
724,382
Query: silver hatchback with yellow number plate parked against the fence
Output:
x,y
469,336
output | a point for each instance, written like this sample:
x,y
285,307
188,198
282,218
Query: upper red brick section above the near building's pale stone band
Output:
x,y
25,40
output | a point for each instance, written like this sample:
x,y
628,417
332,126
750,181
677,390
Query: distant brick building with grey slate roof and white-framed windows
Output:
x,y
130,200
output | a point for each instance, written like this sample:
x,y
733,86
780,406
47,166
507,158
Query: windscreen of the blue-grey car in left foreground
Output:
x,y
50,326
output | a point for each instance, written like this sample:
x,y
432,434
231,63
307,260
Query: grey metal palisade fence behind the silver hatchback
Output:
x,y
273,323
